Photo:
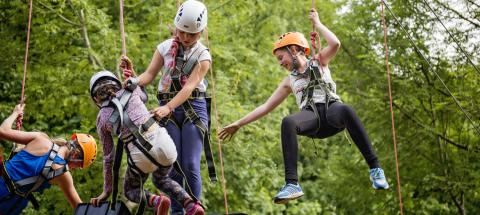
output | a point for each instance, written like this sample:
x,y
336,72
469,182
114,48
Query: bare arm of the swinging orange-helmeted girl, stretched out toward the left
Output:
x,y
282,91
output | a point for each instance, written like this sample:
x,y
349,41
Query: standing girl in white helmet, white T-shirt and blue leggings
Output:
x,y
182,92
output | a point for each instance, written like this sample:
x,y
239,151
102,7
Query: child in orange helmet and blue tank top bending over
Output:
x,y
42,162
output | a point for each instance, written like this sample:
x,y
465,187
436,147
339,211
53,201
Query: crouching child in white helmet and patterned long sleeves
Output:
x,y
149,147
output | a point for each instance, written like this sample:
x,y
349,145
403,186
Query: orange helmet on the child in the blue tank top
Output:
x,y
89,147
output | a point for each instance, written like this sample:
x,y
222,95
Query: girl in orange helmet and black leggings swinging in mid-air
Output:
x,y
321,115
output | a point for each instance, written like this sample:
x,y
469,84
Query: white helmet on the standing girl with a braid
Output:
x,y
191,17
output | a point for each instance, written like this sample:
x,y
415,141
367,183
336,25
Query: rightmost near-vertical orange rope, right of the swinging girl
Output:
x,y
385,44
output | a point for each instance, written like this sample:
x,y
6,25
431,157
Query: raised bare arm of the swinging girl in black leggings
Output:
x,y
333,43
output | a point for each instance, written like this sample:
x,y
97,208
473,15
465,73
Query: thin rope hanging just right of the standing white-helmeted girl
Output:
x,y
215,110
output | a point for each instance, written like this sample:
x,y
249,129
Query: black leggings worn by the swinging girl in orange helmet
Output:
x,y
337,117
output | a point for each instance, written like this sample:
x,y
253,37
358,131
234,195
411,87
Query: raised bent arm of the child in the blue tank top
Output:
x,y
17,136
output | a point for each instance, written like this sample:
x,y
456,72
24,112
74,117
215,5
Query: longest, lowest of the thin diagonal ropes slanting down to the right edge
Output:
x,y
475,127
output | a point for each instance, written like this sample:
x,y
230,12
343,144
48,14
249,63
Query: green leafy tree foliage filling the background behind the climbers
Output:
x,y
437,146
